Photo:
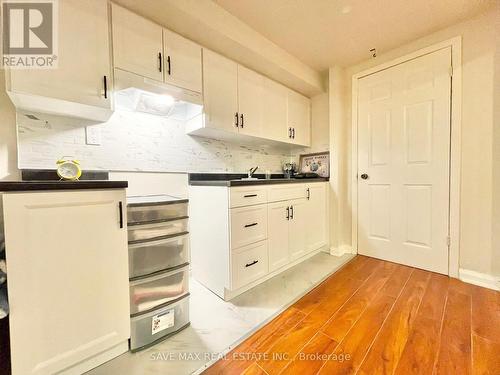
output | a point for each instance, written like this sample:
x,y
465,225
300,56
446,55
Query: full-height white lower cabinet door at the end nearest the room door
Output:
x,y
316,215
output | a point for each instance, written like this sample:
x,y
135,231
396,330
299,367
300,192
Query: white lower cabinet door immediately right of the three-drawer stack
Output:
x,y
278,235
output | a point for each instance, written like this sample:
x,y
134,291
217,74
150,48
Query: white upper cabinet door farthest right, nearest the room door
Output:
x,y
299,118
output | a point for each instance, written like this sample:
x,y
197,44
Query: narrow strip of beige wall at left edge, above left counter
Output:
x,y
8,147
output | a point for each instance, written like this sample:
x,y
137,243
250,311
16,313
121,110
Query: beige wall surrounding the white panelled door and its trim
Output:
x,y
478,250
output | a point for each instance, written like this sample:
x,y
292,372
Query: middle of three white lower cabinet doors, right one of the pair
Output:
x,y
298,227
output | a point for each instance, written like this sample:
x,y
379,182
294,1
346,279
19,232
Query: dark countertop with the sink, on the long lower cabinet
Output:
x,y
228,179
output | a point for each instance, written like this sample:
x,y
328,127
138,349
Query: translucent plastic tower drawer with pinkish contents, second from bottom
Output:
x,y
159,289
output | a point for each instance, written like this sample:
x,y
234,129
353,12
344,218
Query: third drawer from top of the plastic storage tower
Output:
x,y
148,257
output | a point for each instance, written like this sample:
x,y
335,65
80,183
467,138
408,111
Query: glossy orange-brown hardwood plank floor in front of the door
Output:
x,y
376,317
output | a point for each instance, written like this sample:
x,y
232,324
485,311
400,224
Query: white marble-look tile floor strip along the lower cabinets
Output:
x,y
217,325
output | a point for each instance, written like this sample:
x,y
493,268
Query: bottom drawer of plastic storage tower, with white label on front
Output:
x,y
150,328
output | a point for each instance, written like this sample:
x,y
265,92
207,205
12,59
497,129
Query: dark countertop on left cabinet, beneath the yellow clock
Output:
x,y
6,186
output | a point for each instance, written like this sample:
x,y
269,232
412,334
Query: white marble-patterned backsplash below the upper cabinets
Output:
x,y
133,141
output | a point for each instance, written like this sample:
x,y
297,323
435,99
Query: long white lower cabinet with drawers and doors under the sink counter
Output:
x,y
241,236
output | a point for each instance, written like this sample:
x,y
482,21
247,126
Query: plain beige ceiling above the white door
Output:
x,y
323,33
